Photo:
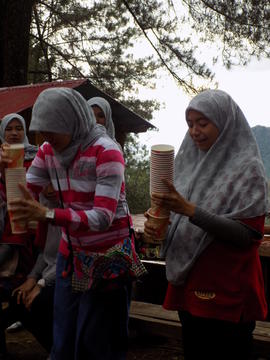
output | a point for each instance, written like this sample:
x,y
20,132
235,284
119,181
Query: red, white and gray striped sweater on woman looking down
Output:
x,y
93,190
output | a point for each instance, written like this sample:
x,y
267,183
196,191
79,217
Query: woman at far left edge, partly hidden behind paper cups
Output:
x,y
16,251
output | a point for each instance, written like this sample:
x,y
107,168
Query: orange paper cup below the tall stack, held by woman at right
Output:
x,y
160,224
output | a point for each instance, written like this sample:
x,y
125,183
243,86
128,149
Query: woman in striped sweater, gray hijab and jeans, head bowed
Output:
x,y
86,168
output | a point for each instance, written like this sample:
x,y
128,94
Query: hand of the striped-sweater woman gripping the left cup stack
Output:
x,y
27,209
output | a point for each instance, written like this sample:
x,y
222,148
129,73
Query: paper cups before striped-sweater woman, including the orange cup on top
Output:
x,y
15,174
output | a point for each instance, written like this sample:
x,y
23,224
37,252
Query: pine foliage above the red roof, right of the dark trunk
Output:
x,y
99,40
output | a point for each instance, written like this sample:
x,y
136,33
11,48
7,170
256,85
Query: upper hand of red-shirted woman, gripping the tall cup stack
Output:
x,y
173,201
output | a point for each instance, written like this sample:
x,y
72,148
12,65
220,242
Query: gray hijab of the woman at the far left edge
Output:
x,y
29,150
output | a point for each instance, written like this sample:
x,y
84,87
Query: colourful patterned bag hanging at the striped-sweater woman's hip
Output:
x,y
92,269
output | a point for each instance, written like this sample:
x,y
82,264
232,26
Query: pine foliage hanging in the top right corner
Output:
x,y
241,29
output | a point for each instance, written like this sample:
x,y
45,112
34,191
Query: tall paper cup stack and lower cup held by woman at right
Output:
x,y
161,167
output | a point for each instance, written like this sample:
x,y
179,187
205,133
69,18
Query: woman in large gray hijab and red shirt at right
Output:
x,y
218,204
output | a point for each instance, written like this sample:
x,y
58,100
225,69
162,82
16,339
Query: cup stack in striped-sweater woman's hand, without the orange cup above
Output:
x,y
13,177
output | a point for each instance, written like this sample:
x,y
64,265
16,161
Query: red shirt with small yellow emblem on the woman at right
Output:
x,y
226,283
